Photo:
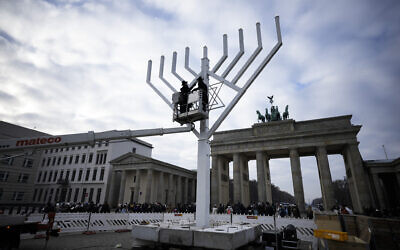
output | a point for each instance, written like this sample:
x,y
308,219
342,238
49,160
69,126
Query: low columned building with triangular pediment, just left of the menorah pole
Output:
x,y
142,179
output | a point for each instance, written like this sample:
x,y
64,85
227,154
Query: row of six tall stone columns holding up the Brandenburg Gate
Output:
x,y
359,191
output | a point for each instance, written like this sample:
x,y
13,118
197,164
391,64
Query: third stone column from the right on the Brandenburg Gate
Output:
x,y
297,180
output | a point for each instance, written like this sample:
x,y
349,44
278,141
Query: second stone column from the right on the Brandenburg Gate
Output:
x,y
325,178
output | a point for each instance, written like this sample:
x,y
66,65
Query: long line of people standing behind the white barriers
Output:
x,y
255,208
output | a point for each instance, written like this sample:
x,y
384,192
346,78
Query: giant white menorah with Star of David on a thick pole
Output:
x,y
201,113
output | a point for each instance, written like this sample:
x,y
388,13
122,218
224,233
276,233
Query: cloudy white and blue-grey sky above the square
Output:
x,y
74,66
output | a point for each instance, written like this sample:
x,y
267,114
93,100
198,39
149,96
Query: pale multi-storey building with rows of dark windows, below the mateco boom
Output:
x,y
80,173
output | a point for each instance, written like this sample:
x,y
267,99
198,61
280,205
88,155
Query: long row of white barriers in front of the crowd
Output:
x,y
80,222
